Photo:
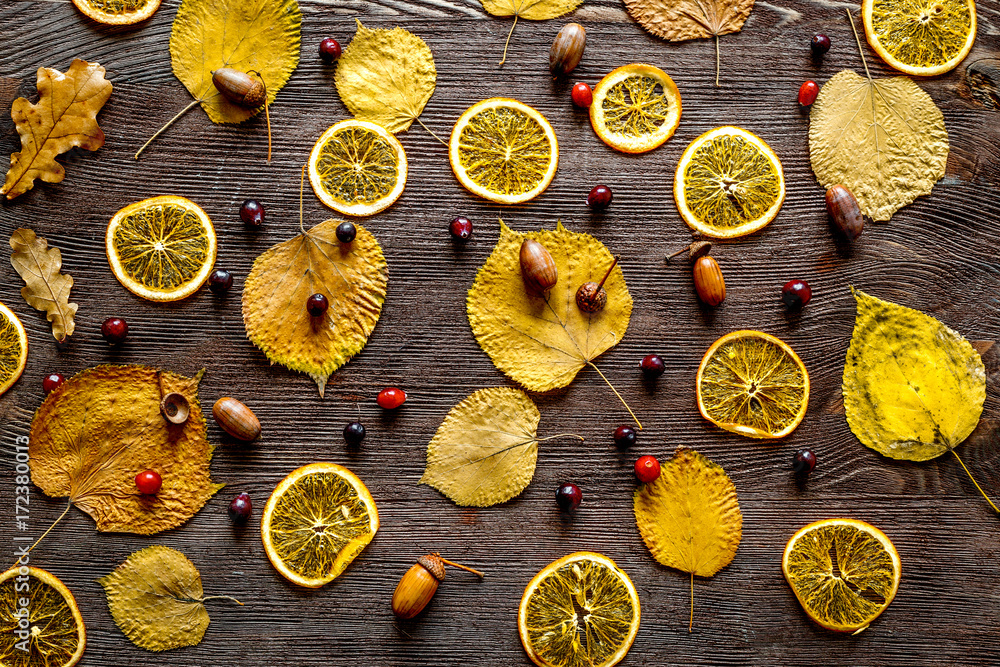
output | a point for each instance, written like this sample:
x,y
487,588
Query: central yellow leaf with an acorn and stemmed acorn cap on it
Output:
x,y
542,343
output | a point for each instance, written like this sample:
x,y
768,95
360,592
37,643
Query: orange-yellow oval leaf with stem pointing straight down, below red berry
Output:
x,y
689,517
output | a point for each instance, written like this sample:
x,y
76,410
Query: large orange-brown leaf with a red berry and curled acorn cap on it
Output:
x,y
96,432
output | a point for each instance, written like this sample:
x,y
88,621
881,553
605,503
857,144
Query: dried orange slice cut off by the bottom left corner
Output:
x,y
53,632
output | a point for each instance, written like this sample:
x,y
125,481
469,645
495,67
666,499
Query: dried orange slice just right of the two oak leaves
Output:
x,y
162,248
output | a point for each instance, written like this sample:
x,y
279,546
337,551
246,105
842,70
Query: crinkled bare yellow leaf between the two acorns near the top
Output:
x,y
386,77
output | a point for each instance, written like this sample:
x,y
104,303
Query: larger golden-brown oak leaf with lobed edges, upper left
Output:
x,y
64,117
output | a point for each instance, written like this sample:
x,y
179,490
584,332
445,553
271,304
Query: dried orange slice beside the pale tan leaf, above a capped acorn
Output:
x,y
728,183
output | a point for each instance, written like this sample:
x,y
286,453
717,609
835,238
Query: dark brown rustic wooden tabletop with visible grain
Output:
x,y
938,255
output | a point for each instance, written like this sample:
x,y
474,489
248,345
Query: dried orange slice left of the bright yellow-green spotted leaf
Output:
x,y
753,384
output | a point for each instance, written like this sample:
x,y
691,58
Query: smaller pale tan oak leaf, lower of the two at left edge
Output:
x,y
46,287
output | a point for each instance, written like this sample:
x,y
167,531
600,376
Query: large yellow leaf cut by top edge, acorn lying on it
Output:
x,y
249,35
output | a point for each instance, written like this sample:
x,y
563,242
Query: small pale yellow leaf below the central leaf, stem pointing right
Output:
x,y
484,452
